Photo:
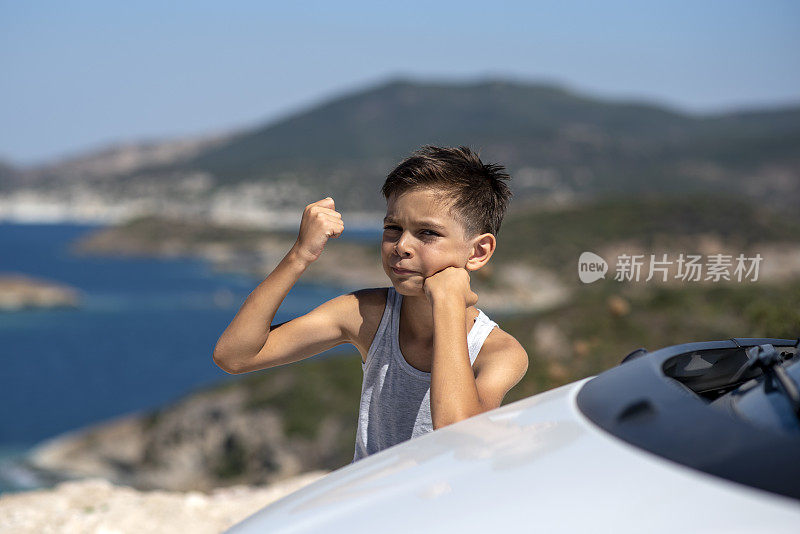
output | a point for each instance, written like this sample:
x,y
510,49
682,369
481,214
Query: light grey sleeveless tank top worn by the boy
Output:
x,y
395,396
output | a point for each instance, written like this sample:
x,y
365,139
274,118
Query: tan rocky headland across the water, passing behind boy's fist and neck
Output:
x,y
502,288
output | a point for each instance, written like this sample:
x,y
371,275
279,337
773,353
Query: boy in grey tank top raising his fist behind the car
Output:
x,y
430,357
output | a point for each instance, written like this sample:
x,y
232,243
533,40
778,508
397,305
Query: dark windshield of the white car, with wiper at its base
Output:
x,y
728,408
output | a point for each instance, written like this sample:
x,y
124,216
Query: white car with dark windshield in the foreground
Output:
x,y
697,437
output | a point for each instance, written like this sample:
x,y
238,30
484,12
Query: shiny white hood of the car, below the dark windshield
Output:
x,y
533,465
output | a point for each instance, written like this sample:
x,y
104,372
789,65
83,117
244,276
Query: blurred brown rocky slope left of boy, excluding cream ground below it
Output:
x,y
207,440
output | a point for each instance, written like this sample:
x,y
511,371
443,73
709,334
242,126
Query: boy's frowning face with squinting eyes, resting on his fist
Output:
x,y
420,235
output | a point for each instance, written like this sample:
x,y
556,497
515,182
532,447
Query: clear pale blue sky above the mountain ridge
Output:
x,y
81,75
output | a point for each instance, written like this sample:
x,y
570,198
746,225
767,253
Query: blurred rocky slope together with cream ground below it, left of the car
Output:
x,y
199,464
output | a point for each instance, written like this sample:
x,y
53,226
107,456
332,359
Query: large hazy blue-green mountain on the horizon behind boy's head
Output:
x,y
555,142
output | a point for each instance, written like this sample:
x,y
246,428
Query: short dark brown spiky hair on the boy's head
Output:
x,y
477,192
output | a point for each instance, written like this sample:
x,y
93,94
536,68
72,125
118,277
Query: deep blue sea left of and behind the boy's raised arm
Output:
x,y
142,336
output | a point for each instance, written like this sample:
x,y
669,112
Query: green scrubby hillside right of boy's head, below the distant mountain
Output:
x,y
685,223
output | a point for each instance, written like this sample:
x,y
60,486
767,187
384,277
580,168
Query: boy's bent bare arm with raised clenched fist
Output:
x,y
247,344
